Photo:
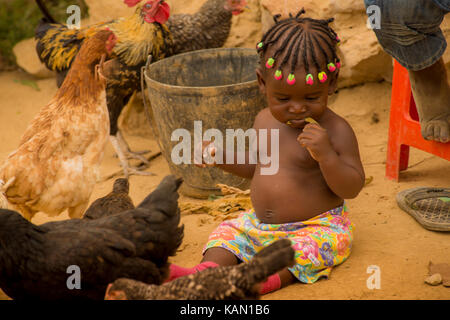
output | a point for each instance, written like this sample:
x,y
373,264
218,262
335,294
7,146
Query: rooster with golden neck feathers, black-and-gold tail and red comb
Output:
x,y
138,36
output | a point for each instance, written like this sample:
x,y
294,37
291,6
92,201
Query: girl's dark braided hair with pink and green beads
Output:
x,y
296,36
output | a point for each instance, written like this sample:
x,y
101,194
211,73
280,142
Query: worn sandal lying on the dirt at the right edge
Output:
x,y
429,206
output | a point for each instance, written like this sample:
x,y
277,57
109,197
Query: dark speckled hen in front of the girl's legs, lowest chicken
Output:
x,y
221,283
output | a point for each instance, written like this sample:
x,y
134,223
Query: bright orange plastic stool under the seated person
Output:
x,y
404,127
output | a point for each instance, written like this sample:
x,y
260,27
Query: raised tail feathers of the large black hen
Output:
x,y
165,197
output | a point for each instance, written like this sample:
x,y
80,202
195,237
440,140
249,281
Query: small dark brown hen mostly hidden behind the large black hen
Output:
x,y
116,201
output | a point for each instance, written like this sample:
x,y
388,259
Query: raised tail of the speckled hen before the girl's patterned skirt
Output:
x,y
270,260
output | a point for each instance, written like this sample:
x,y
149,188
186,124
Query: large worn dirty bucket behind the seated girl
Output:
x,y
216,86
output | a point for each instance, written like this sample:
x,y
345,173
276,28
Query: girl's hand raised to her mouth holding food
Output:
x,y
315,139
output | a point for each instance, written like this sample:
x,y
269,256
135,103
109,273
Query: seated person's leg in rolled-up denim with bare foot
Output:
x,y
410,32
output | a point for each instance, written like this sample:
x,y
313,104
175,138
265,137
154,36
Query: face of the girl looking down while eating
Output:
x,y
291,104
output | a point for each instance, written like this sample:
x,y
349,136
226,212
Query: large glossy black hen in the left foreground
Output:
x,y
135,244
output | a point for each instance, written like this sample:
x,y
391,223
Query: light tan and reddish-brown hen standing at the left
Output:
x,y
57,162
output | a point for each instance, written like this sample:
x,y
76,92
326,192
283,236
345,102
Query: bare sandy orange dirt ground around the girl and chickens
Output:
x,y
385,236
